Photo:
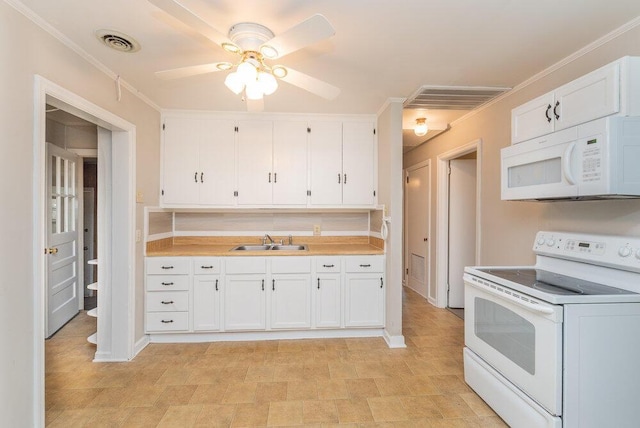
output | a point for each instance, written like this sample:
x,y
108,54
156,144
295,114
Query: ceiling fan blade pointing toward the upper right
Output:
x,y
306,33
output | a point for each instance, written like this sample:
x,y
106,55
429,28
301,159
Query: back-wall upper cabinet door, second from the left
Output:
x,y
217,163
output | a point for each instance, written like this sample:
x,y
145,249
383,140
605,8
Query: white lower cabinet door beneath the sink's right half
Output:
x,y
290,301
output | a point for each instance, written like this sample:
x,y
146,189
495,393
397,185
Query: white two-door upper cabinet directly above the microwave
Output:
x,y
606,91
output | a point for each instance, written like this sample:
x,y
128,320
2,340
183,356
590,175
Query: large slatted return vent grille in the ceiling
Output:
x,y
452,97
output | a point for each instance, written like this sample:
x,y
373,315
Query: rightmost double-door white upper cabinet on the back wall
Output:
x,y
342,163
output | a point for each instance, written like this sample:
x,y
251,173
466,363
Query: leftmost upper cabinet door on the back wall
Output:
x,y
180,179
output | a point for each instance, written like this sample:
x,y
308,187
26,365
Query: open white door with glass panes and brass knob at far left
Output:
x,y
62,239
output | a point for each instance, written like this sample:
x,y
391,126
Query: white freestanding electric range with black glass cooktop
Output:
x,y
558,344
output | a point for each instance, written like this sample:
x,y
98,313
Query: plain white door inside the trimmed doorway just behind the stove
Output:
x,y
462,226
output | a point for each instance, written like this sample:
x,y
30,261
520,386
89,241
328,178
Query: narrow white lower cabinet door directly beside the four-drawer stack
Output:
x,y
206,302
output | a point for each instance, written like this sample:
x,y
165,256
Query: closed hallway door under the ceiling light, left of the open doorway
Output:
x,y
418,196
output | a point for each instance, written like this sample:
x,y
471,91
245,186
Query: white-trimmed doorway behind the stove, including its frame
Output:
x,y
458,219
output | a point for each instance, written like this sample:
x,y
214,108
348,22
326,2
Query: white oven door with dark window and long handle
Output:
x,y
519,336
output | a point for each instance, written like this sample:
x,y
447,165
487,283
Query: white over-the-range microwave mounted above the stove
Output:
x,y
596,160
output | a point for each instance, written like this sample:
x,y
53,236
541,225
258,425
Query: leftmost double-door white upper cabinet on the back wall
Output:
x,y
198,161
